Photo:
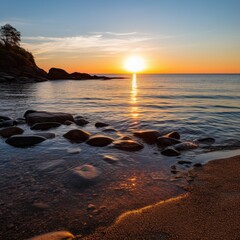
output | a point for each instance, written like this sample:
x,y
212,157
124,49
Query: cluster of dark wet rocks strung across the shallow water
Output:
x,y
169,144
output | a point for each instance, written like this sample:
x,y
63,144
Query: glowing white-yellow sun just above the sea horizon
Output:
x,y
134,64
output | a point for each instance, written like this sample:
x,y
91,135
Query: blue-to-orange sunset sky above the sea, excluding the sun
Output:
x,y
95,36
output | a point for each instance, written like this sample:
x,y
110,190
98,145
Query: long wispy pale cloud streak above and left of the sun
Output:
x,y
96,43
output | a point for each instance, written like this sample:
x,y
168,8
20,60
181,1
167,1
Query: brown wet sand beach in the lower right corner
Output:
x,y
210,210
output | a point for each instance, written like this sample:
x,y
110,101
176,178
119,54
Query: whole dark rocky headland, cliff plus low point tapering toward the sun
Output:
x,y
17,64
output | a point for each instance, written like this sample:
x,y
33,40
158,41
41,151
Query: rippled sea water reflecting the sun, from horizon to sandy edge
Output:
x,y
194,105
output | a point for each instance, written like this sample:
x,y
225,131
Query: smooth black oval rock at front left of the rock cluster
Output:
x,y
24,140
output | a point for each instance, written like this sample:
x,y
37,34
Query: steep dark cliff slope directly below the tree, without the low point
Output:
x,y
17,62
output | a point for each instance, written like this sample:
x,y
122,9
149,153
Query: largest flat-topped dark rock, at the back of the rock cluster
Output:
x,y
39,117
